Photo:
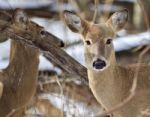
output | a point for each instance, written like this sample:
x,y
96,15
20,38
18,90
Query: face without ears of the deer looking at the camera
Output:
x,y
98,46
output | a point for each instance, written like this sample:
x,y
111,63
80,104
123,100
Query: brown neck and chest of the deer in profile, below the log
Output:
x,y
21,77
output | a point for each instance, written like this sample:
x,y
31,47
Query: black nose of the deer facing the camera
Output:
x,y
99,64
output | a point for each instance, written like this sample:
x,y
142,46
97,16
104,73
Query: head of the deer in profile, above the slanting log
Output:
x,y
21,23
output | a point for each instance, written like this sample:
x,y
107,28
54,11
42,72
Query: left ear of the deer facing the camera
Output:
x,y
74,22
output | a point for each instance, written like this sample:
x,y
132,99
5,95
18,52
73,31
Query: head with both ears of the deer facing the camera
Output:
x,y
97,38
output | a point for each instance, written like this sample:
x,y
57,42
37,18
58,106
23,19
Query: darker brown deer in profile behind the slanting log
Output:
x,y
18,81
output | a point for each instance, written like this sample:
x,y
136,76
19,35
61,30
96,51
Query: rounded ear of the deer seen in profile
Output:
x,y
20,16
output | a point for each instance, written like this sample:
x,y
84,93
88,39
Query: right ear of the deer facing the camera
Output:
x,y
118,19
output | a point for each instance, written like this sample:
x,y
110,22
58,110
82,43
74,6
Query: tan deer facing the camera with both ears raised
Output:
x,y
109,81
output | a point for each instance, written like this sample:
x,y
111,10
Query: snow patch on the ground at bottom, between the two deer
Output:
x,y
78,109
